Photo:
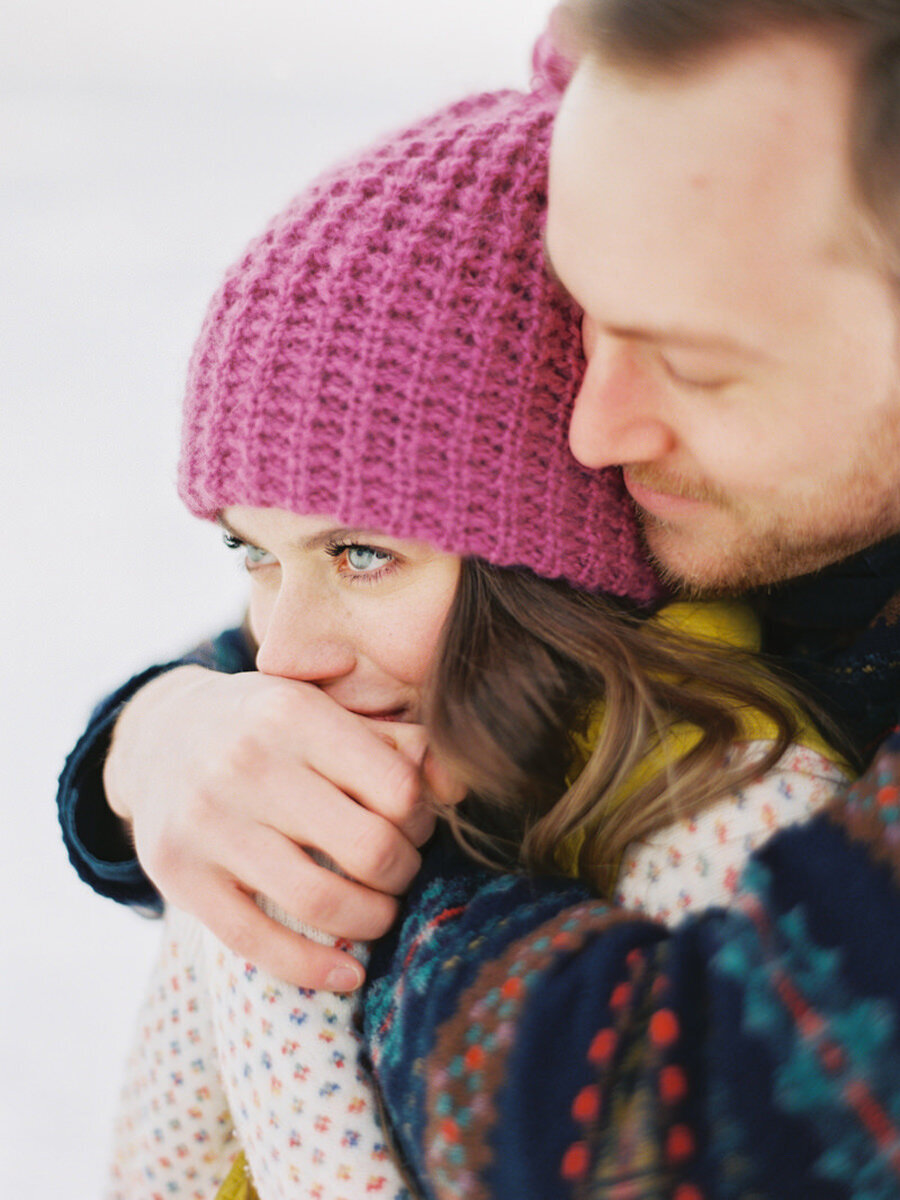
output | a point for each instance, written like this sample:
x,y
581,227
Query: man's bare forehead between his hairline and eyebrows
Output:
x,y
700,185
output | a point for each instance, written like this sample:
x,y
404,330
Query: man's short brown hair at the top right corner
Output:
x,y
675,37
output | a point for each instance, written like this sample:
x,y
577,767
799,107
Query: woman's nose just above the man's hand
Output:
x,y
304,639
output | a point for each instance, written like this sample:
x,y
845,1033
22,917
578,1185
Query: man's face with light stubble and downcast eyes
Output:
x,y
742,343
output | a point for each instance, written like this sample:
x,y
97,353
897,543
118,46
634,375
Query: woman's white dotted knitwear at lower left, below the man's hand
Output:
x,y
229,1059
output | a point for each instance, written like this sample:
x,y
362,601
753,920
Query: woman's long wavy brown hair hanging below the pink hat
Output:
x,y
523,667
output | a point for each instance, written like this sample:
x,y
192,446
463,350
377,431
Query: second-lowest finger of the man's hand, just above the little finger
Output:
x,y
311,893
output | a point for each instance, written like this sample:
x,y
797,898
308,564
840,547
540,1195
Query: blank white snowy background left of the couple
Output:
x,y
141,147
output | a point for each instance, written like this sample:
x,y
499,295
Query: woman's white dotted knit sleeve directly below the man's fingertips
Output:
x,y
303,1105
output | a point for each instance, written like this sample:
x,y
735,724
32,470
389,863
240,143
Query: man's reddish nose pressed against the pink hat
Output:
x,y
616,419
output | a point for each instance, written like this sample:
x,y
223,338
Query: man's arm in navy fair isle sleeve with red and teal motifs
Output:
x,y
532,1042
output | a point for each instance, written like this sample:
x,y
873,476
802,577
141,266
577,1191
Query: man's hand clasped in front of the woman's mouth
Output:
x,y
227,781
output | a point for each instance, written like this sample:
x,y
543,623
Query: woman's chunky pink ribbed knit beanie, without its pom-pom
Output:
x,y
393,353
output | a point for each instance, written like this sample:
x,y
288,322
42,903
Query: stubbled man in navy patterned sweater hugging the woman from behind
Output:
x,y
723,208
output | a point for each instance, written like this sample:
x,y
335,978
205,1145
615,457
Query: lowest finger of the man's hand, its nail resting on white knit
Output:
x,y
244,928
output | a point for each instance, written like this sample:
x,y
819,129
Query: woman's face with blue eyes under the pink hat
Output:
x,y
353,611
